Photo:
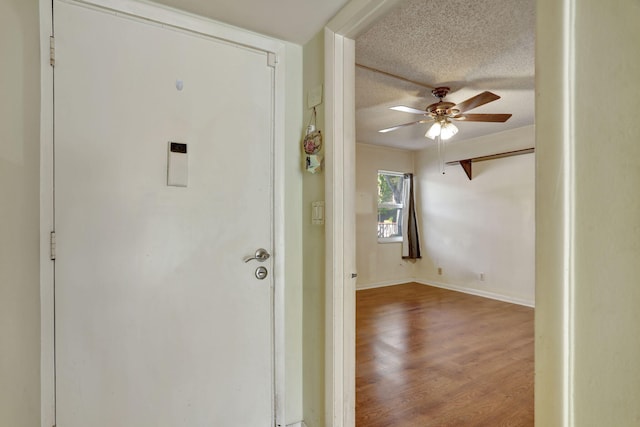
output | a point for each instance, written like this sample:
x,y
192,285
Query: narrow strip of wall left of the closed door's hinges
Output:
x,y
19,214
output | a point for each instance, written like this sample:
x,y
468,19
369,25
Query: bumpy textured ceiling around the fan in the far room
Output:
x,y
470,46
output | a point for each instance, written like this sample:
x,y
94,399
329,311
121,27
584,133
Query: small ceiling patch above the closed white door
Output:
x,y
296,21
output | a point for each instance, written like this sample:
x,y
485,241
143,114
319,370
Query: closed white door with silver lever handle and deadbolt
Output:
x,y
158,319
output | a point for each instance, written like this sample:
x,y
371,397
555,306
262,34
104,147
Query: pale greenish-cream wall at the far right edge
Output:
x,y
607,216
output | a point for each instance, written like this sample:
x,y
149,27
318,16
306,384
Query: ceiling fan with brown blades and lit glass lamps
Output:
x,y
442,113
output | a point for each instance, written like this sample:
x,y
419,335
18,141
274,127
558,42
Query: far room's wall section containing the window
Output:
x,y
378,264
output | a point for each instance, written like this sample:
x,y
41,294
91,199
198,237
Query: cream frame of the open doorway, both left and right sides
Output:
x,y
555,31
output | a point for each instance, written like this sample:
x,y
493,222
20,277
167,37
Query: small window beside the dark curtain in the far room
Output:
x,y
390,194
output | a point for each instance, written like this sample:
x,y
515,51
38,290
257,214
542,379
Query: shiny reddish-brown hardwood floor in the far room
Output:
x,y
427,356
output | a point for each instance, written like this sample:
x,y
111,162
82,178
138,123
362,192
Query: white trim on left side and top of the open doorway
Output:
x,y
340,33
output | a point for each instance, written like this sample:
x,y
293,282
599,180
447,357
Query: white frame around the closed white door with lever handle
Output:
x,y
192,23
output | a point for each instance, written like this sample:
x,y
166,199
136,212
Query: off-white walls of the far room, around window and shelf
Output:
x,y
485,225
